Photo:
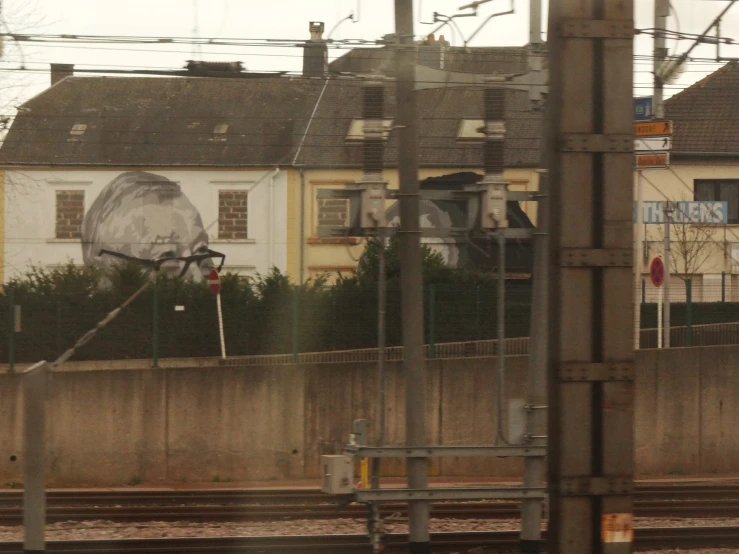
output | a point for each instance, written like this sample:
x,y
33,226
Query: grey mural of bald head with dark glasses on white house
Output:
x,y
146,216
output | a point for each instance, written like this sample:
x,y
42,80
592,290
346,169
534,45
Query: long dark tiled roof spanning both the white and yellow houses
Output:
x,y
171,121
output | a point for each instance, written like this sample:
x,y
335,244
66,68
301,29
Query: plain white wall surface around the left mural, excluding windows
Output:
x,y
30,212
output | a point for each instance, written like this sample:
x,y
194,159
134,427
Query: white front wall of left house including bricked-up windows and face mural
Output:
x,y
241,212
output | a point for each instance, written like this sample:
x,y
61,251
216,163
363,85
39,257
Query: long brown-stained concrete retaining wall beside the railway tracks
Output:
x,y
111,426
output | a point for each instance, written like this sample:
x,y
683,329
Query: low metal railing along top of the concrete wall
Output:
x,y
713,334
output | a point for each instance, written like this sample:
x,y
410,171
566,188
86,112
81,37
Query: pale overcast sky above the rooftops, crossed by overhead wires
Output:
x,y
287,19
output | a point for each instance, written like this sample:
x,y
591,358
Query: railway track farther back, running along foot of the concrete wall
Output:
x,y
695,501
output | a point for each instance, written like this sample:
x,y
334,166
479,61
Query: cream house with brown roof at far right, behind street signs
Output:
x,y
704,167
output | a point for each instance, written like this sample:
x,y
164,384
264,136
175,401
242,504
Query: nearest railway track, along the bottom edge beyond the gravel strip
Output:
x,y
501,541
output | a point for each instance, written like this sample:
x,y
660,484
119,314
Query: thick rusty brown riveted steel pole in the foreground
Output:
x,y
590,137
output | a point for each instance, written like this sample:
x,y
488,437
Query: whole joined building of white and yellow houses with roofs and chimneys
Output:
x,y
176,167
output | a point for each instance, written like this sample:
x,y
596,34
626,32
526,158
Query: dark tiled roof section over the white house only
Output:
x,y
161,121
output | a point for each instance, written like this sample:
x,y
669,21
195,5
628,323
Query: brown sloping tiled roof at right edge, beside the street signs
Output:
x,y
706,115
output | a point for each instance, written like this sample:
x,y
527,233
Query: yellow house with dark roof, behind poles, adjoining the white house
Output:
x,y
449,143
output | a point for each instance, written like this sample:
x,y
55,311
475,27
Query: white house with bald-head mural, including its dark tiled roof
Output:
x,y
210,153
